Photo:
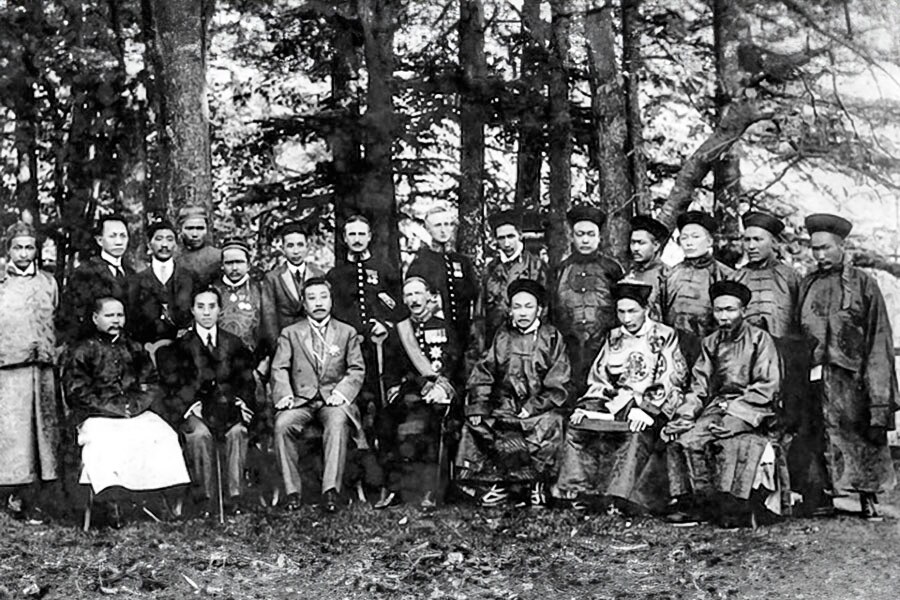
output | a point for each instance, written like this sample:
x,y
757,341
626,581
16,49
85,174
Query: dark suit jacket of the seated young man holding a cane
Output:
x,y
191,373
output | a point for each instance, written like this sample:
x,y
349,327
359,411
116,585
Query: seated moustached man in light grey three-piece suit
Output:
x,y
317,372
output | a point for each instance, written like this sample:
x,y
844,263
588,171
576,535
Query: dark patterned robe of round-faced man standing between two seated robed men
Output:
x,y
583,308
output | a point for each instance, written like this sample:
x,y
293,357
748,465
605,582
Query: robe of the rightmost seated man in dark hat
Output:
x,y
736,379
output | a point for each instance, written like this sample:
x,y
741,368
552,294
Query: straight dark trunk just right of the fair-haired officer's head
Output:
x,y
473,70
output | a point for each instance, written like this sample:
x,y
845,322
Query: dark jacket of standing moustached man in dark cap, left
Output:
x,y
146,296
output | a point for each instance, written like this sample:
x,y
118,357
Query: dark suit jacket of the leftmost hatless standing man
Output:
x,y
89,281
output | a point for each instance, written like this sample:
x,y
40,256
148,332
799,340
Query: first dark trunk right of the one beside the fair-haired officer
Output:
x,y
530,128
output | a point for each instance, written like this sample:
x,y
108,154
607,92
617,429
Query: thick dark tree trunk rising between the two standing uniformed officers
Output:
x,y
379,20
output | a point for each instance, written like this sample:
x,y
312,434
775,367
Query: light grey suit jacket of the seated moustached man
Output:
x,y
295,371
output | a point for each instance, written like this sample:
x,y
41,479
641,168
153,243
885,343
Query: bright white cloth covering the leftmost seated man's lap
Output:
x,y
138,453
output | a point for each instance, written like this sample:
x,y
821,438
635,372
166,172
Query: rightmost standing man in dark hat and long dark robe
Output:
x,y
852,377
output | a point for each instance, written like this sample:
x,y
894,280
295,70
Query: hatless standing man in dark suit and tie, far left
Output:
x,y
104,275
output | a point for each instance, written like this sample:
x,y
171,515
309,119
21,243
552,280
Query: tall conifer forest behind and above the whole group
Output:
x,y
267,110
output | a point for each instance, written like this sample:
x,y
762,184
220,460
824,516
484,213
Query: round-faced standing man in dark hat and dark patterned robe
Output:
x,y
583,308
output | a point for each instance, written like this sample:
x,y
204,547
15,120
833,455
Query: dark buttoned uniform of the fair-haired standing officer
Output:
x,y
453,276
